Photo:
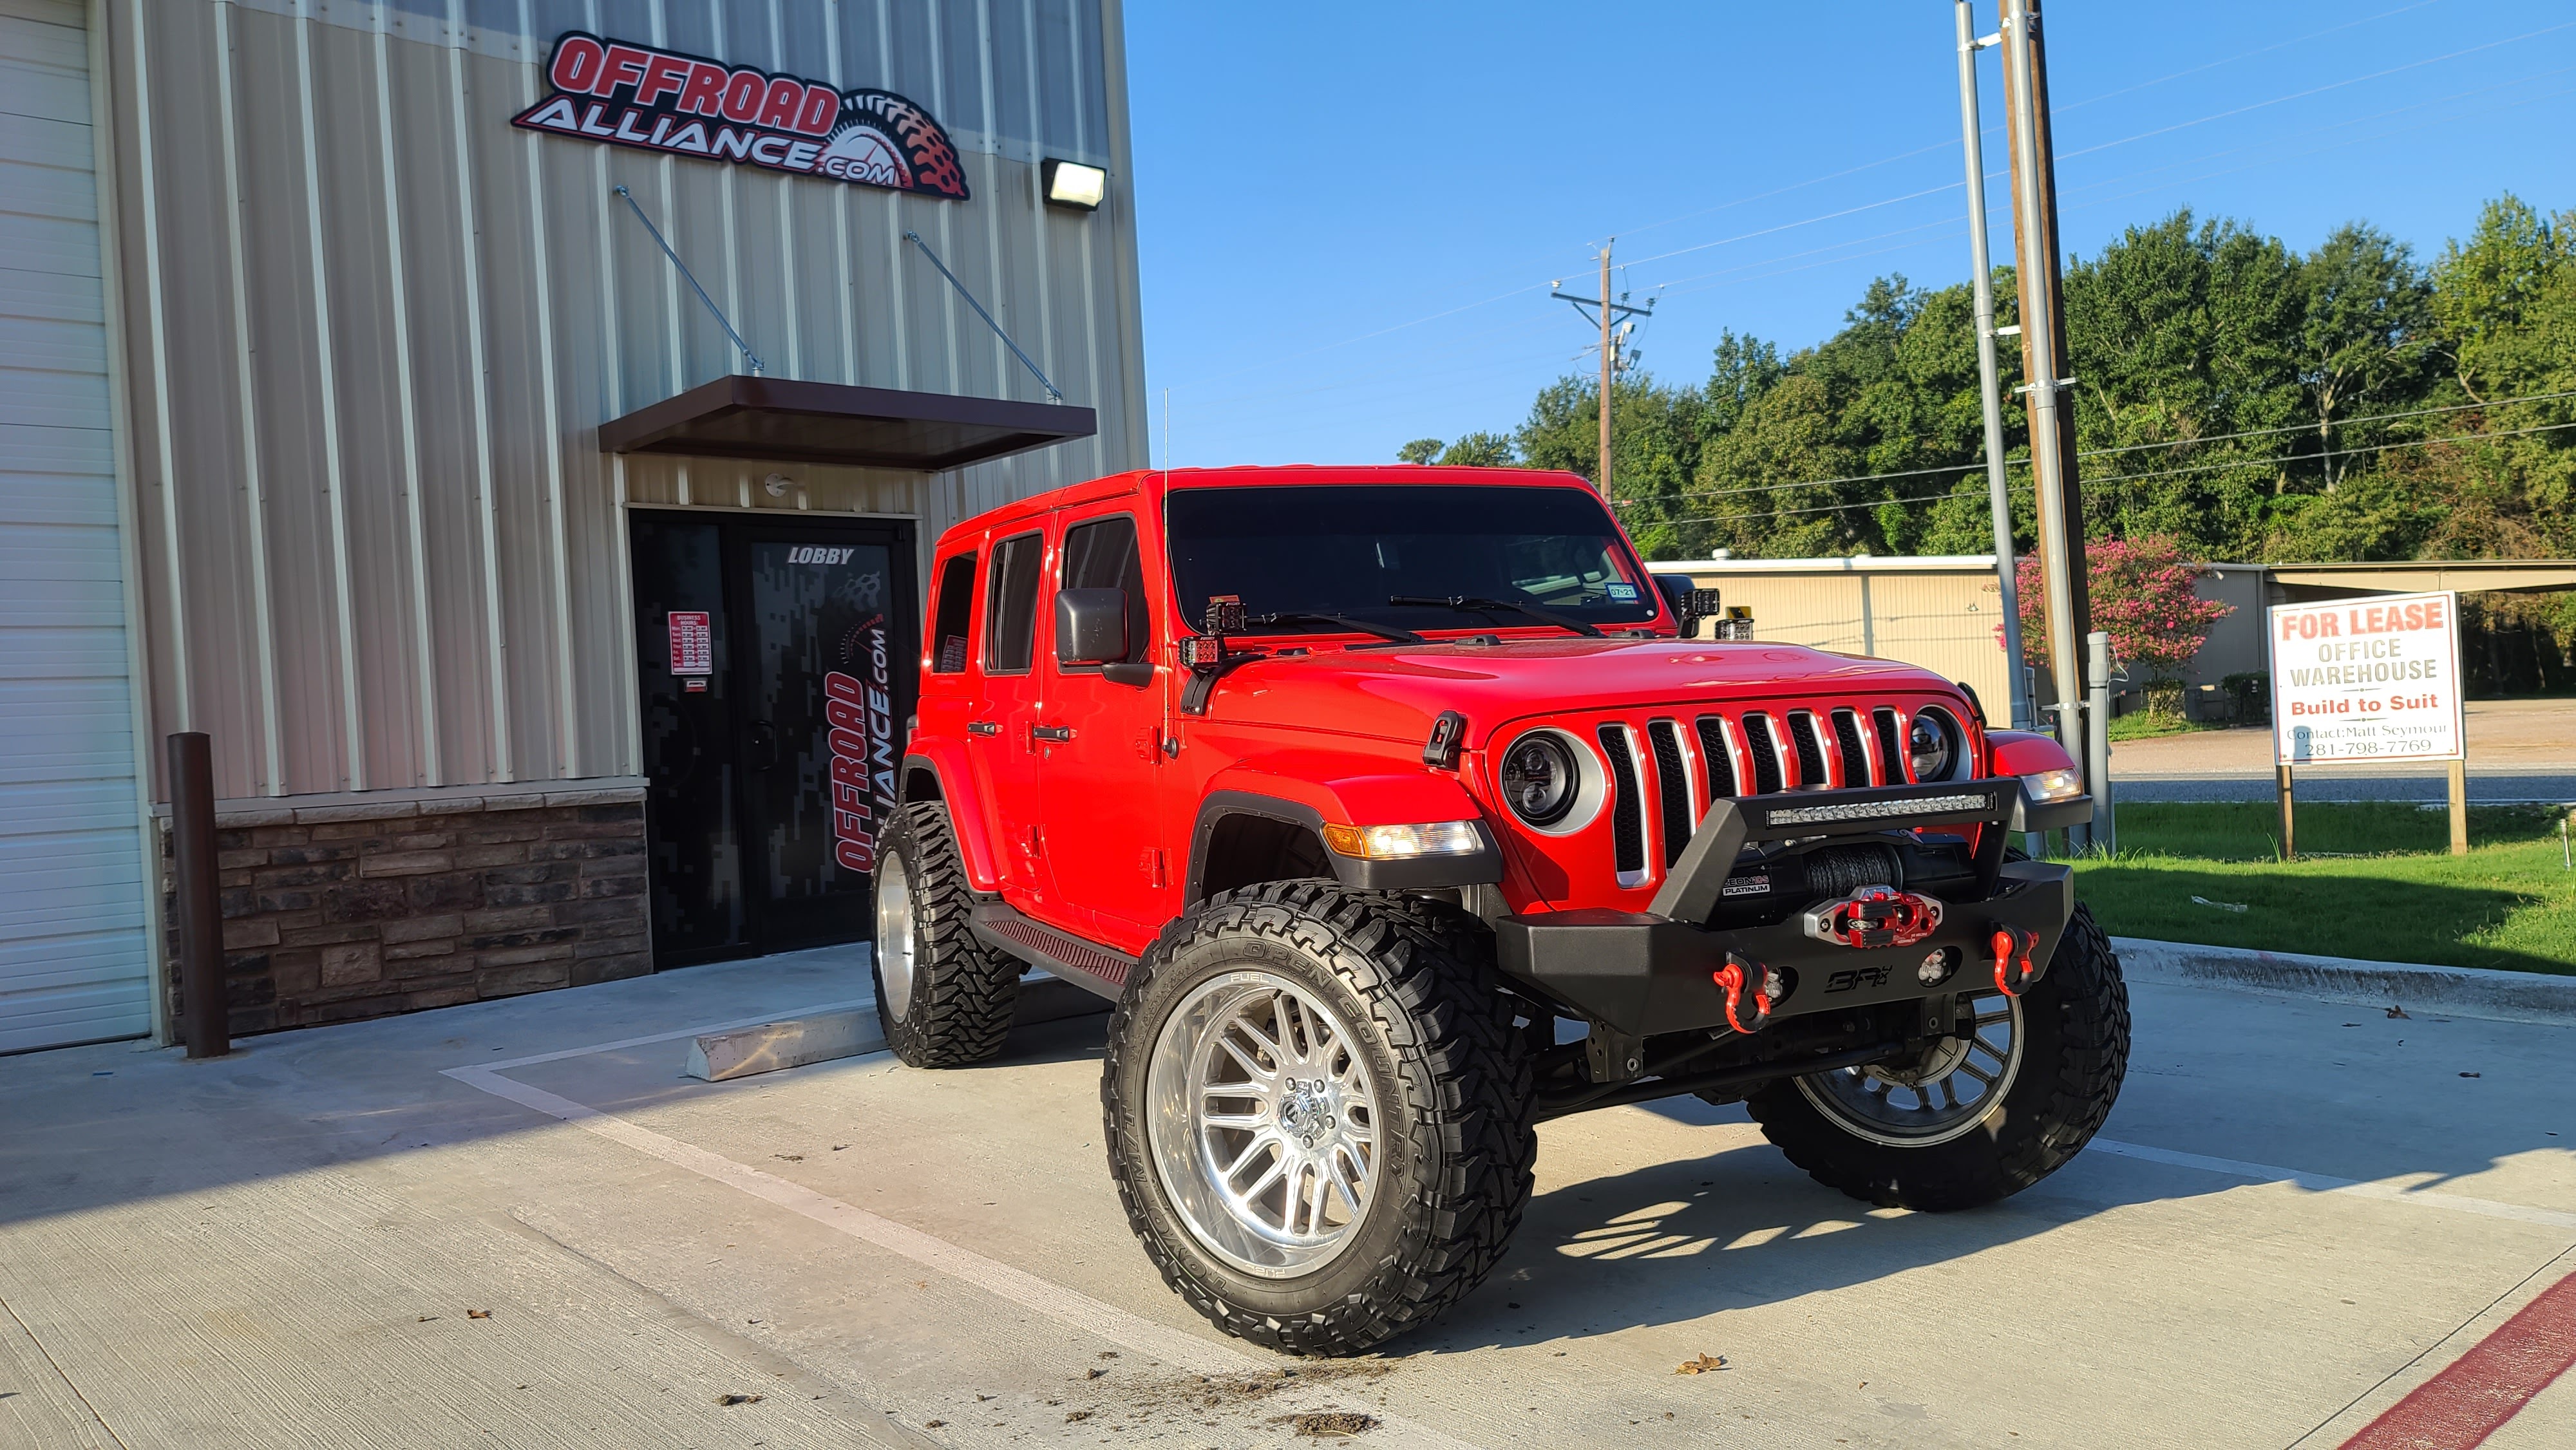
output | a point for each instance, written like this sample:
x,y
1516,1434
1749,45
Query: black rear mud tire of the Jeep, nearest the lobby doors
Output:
x,y
962,990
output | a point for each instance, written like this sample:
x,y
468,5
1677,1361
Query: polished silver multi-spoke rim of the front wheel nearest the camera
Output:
x,y
1264,1124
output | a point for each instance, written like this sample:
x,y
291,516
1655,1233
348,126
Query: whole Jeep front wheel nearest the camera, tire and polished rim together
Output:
x,y
1318,1114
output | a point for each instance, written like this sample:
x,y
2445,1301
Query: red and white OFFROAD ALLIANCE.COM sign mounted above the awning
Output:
x,y
625,94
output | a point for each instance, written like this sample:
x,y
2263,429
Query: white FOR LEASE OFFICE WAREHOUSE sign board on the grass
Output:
x,y
2366,681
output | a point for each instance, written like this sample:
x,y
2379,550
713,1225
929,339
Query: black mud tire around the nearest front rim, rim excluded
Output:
x,y
1418,985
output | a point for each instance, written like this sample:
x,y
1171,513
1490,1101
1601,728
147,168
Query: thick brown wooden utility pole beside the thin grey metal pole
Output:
x,y
2044,380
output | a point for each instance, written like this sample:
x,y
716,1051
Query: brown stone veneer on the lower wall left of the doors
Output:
x,y
359,910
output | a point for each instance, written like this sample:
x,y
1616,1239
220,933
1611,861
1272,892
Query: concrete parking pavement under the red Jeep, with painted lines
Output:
x,y
2299,1217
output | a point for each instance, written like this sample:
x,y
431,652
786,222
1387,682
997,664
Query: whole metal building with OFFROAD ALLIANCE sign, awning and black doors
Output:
x,y
354,416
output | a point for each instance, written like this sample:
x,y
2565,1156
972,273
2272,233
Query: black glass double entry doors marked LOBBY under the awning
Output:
x,y
772,748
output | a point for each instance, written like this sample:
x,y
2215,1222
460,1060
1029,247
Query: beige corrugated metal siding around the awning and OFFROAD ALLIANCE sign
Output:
x,y
375,331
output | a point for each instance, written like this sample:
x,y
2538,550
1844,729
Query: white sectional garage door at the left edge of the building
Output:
x,y
73,959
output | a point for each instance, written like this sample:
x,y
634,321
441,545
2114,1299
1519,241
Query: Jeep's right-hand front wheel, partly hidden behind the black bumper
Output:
x,y
1977,1116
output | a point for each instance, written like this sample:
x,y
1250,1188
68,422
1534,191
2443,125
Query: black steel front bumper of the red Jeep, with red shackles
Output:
x,y
1655,972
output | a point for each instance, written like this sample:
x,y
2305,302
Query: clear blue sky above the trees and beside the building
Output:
x,y
1351,215
